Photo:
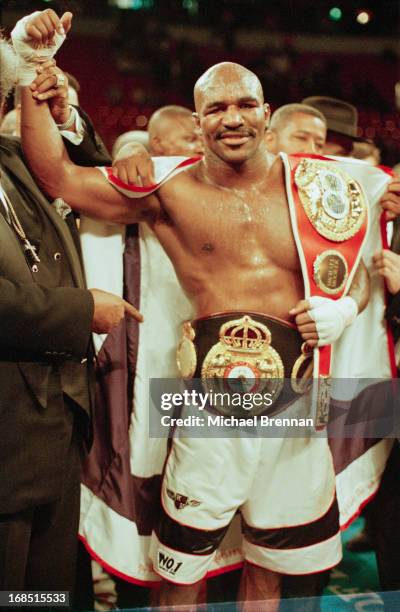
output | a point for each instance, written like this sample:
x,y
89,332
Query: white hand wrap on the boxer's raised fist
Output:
x,y
29,55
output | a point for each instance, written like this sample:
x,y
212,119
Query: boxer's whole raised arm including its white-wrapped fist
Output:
x,y
36,38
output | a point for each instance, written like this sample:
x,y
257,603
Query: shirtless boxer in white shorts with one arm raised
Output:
x,y
225,225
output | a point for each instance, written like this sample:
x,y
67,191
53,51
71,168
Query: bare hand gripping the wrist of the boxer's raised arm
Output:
x,y
47,86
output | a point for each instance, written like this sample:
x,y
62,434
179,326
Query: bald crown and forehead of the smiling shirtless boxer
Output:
x,y
229,76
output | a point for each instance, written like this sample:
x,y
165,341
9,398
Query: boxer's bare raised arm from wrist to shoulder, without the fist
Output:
x,y
84,189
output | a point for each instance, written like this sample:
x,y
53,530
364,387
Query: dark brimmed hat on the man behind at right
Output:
x,y
341,117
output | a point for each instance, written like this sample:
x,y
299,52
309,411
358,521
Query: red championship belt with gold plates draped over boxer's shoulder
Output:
x,y
329,222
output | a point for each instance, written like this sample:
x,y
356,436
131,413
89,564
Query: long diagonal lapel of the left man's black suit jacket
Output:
x,y
17,167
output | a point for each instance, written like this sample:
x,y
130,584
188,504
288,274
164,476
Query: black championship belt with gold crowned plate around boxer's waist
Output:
x,y
246,352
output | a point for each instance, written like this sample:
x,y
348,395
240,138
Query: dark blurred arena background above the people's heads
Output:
x,y
131,61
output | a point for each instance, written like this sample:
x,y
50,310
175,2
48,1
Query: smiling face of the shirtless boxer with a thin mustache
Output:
x,y
232,116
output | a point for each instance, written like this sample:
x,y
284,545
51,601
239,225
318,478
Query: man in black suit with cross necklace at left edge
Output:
x,y
47,316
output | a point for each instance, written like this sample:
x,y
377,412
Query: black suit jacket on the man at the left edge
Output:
x,y
44,335
